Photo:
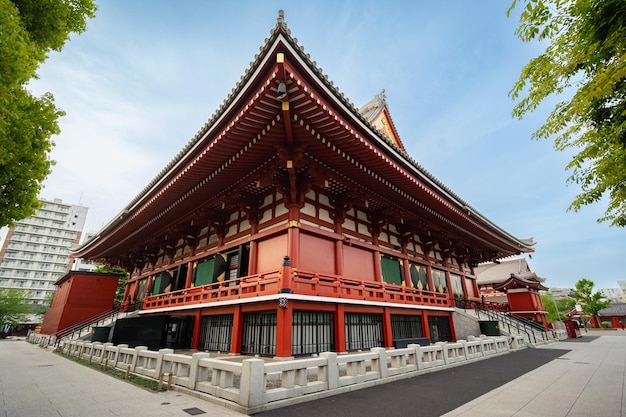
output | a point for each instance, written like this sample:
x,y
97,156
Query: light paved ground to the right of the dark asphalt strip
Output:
x,y
587,381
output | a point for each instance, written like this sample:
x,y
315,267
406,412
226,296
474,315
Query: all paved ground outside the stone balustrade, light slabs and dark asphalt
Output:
x,y
578,377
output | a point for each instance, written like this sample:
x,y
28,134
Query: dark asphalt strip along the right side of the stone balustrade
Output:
x,y
427,395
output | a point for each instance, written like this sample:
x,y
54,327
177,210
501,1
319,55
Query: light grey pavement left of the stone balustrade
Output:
x,y
34,382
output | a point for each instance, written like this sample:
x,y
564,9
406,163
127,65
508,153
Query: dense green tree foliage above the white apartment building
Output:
x,y
29,30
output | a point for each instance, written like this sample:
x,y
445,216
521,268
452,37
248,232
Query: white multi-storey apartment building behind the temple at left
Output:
x,y
35,252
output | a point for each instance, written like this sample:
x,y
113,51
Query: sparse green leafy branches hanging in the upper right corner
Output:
x,y
585,62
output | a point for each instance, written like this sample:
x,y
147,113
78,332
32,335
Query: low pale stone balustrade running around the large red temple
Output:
x,y
252,385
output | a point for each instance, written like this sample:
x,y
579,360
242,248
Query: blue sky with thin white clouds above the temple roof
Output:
x,y
146,76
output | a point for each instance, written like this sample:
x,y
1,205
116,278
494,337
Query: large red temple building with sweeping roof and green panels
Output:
x,y
295,223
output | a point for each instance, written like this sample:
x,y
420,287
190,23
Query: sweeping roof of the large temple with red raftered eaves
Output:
x,y
247,142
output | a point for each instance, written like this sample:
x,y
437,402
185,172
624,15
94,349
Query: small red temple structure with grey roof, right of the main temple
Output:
x,y
512,287
